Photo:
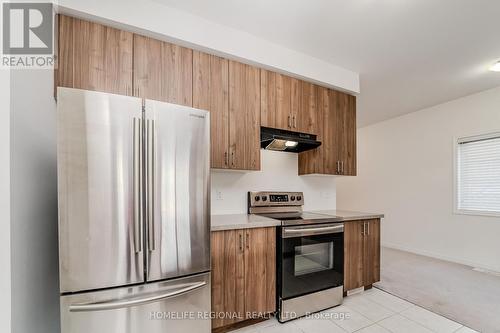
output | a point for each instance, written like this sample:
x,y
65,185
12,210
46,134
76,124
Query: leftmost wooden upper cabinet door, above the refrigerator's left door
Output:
x,y
94,57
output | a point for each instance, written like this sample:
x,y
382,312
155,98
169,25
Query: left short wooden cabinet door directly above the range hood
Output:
x,y
268,98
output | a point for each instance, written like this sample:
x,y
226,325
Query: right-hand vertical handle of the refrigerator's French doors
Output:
x,y
150,160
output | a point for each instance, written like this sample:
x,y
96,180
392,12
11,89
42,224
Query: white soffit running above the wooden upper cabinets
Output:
x,y
156,20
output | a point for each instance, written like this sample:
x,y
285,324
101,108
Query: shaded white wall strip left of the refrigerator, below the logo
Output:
x,y
35,277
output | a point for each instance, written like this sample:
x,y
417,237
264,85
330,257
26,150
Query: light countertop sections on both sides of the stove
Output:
x,y
246,221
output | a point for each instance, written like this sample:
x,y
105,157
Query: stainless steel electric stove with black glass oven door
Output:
x,y
310,254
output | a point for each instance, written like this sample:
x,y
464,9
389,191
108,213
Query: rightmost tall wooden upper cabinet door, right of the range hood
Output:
x,y
346,133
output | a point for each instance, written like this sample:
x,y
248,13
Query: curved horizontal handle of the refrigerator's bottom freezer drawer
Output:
x,y
126,303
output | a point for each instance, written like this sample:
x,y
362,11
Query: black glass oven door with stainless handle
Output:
x,y
312,259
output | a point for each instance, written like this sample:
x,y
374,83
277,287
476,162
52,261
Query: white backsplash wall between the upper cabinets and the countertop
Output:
x,y
279,172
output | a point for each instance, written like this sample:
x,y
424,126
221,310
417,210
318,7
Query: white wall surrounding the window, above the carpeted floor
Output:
x,y
405,170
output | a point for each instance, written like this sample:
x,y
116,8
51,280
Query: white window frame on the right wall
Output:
x,y
456,143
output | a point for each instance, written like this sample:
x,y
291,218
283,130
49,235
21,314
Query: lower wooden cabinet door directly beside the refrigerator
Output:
x,y
228,275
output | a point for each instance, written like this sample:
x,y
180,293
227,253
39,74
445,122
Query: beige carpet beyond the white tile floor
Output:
x,y
452,290
